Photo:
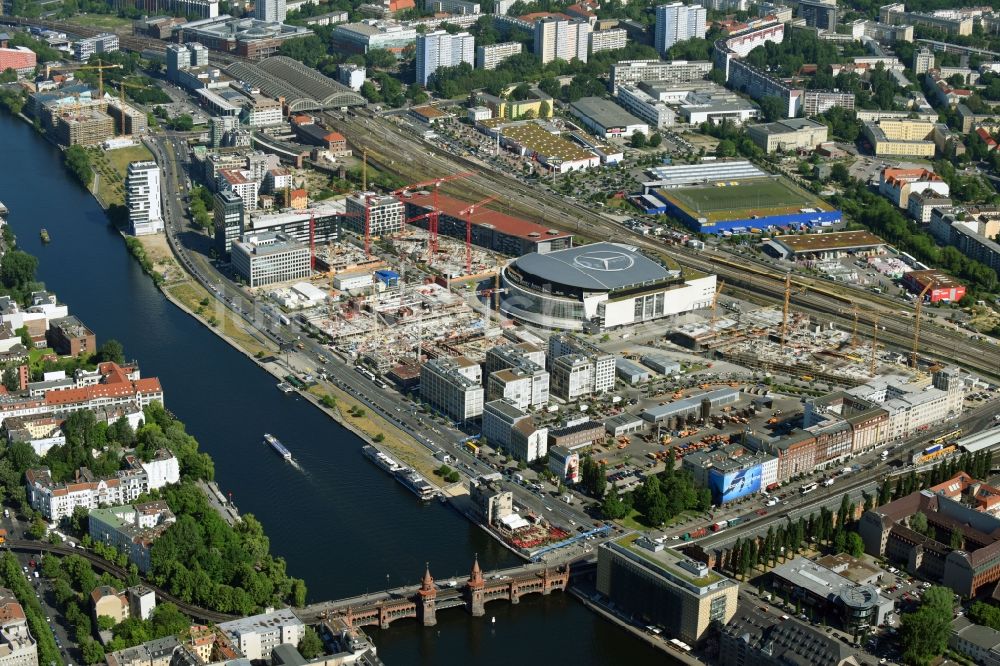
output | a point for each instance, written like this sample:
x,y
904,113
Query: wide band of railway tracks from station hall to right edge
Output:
x,y
383,138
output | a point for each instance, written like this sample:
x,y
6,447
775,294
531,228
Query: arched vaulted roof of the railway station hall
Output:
x,y
303,88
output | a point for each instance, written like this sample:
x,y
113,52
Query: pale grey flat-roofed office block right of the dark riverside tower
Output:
x,y
268,258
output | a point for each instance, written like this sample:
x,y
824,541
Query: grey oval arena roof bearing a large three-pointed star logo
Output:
x,y
595,267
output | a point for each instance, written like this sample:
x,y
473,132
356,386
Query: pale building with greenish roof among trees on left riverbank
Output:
x,y
131,529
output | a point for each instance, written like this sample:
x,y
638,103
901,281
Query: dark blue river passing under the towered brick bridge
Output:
x,y
340,523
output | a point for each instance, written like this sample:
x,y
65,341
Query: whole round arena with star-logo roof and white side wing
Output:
x,y
597,287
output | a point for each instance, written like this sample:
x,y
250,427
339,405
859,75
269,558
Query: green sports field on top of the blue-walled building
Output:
x,y
743,199
